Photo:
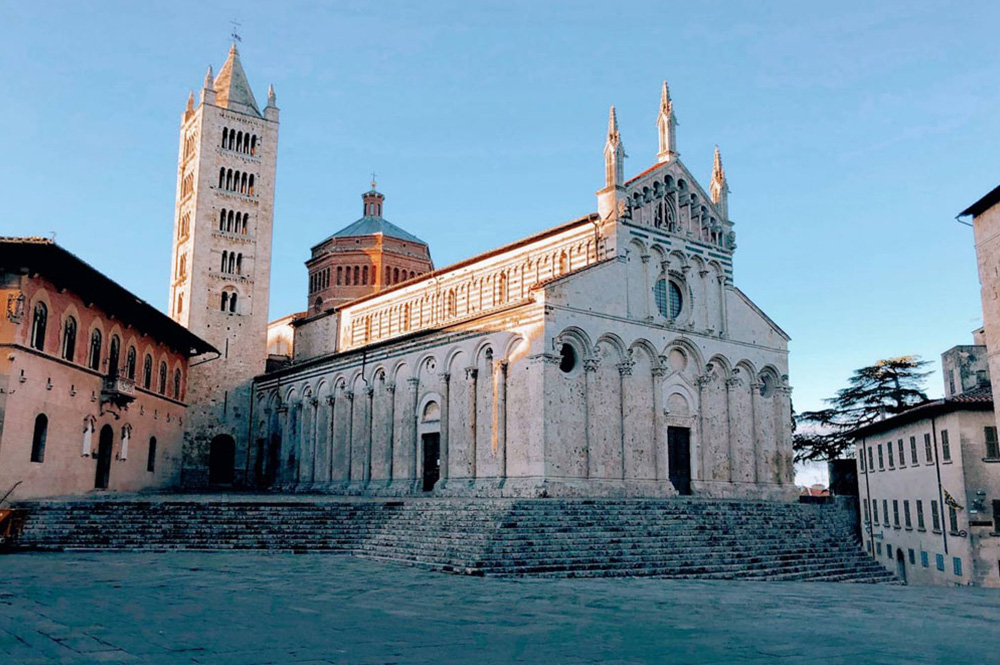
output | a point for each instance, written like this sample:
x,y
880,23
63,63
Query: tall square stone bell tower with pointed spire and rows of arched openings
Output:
x,y
221,264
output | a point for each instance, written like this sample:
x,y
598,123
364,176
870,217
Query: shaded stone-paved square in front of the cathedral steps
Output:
x,y
249,609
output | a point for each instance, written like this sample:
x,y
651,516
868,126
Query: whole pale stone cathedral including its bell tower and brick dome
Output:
x,y
609,355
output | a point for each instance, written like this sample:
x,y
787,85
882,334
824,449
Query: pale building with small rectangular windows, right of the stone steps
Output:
x,y
929,481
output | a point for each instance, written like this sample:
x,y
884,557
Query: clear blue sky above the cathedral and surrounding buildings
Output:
x,y
851,137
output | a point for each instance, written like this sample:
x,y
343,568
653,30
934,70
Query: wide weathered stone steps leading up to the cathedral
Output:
x,y
677,538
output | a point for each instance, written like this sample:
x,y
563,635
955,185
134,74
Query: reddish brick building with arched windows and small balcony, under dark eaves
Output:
x,y
93,380
